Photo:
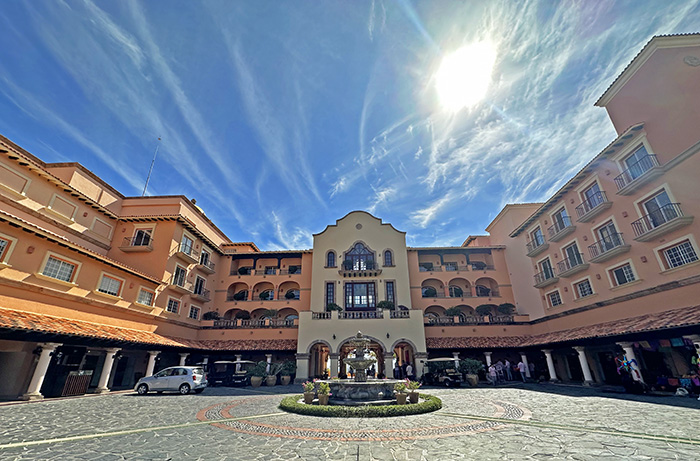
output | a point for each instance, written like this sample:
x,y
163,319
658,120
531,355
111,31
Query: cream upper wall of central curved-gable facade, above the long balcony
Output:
x,y
340,238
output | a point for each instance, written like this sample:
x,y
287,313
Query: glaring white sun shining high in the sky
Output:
x,y
464,76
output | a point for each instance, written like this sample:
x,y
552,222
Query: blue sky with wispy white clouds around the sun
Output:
x,y
281,117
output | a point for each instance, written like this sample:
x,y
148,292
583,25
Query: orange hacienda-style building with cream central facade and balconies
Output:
x,y
98,289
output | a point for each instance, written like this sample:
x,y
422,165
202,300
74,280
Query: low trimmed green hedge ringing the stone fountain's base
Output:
x,y
429,403
